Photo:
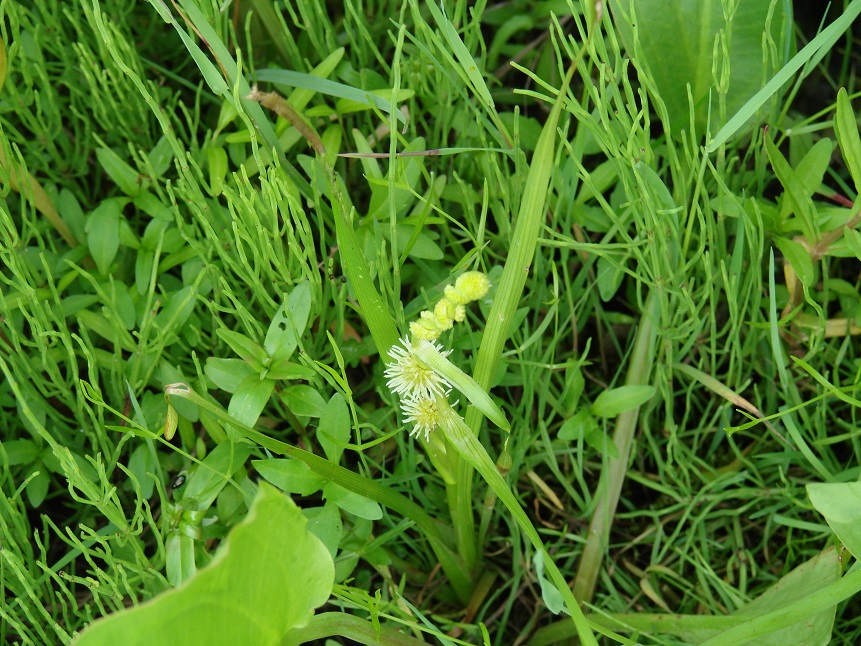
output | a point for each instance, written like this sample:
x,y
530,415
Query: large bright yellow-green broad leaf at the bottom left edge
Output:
x,y
264,581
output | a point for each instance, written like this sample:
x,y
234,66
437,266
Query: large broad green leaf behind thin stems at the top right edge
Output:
x,y
676,39
